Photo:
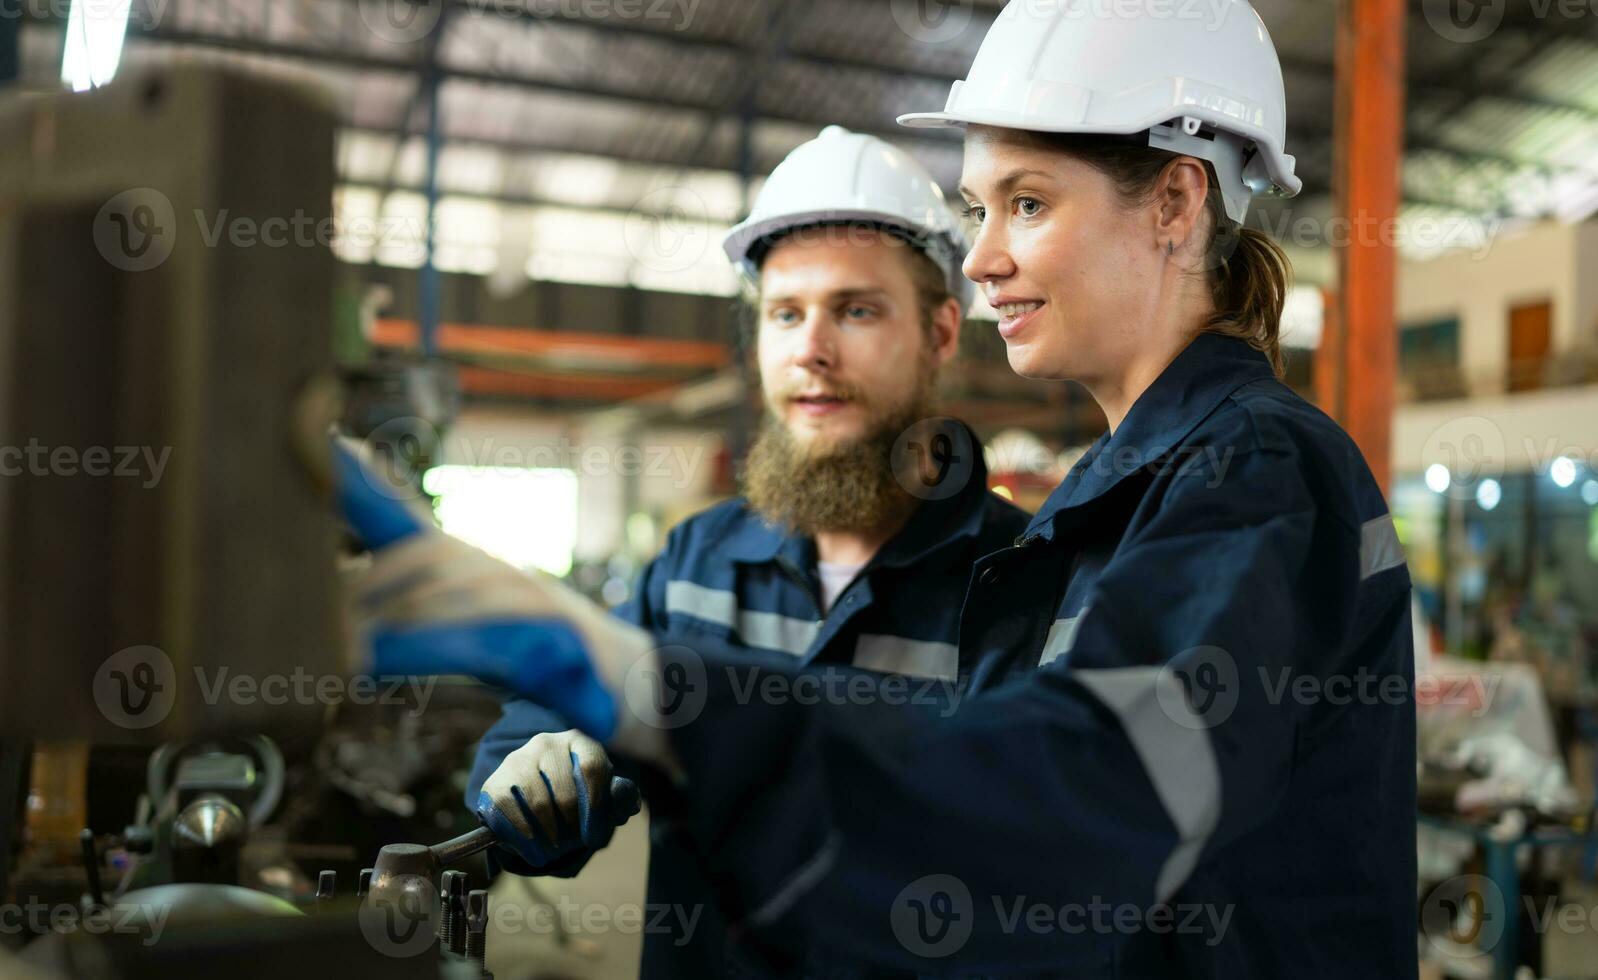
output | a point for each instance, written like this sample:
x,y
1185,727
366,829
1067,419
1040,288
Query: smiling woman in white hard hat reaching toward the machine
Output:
x,y
1187,747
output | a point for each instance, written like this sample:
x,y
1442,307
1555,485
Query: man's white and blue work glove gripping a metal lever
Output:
x,y
555,797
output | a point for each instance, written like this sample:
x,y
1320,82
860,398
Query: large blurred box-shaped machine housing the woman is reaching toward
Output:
x,y
138,346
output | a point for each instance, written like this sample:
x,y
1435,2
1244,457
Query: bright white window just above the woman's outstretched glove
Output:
x,y
522,516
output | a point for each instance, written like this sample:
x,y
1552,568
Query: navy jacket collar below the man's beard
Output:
x,y
932,527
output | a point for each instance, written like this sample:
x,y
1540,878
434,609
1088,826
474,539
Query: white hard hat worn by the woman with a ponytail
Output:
x,y
1202,79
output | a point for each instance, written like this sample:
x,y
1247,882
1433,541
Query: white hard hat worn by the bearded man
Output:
x,y
845,178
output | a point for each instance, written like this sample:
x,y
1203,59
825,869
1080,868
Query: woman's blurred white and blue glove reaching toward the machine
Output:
x,y
432,605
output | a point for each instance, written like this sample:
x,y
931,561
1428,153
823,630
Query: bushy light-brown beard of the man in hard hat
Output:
x,y
841,487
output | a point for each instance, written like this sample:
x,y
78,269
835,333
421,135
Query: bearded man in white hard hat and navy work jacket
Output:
x,y
862,512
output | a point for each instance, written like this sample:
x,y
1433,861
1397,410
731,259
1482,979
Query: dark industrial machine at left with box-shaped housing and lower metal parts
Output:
x,y
169,381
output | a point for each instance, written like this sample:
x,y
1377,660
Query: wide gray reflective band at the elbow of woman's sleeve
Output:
x,y
1175,754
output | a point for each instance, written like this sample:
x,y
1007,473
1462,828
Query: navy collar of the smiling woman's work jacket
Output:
x,y
1193,386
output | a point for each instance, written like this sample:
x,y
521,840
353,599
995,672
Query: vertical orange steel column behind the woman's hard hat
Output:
x,y
1369,161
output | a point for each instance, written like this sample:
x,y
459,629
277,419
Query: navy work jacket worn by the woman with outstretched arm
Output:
x,y
1185,747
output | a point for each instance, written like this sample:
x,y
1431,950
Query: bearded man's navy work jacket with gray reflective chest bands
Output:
x,y
731,580
